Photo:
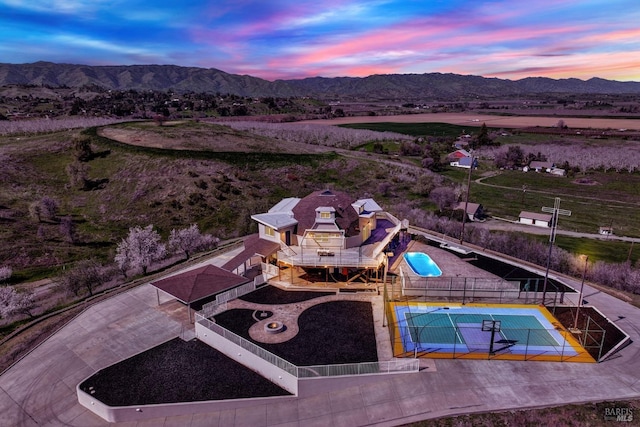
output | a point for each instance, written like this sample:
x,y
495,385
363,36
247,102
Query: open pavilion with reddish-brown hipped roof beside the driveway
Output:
x,y
194,285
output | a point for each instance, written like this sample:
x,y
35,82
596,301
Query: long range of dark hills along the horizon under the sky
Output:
x,y
405,86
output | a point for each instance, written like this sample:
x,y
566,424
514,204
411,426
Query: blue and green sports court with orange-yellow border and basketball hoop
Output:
x,y
482,331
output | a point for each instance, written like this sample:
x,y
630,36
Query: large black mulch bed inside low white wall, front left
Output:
x,y
177,371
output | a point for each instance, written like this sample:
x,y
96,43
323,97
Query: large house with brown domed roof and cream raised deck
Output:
x,y
330,230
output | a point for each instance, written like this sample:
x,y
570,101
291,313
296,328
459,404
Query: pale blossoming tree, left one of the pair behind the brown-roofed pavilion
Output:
x,y
139,249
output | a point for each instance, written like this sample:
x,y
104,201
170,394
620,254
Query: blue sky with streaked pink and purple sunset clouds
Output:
x,y
292,39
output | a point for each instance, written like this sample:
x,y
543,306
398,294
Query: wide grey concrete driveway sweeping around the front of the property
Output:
x,y
40,389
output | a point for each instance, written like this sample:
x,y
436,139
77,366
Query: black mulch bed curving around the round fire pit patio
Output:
x,y
330,333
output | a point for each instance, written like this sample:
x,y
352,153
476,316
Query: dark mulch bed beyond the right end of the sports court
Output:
x,y
612,335
